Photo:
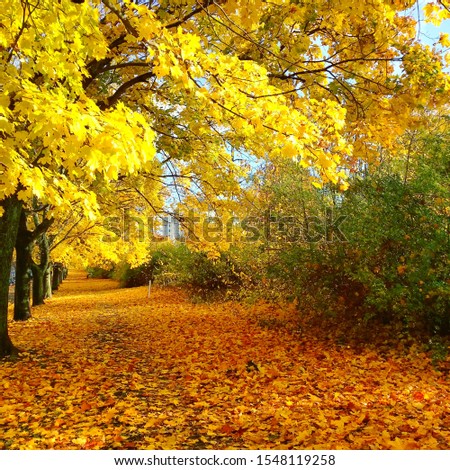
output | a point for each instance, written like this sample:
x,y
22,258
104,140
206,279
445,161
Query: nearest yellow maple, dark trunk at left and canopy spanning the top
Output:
x,y
180,90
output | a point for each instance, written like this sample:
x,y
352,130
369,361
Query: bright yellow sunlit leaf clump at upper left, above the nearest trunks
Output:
x,y
55,136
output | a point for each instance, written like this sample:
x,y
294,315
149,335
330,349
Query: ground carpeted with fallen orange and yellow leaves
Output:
x,y
105,368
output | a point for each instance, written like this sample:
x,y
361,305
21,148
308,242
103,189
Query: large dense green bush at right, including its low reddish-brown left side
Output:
x,y
394,264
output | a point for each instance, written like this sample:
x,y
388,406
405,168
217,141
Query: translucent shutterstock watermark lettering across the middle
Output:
x,y
266,227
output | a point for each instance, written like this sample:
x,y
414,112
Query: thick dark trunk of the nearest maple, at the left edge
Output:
x,y
9,225
